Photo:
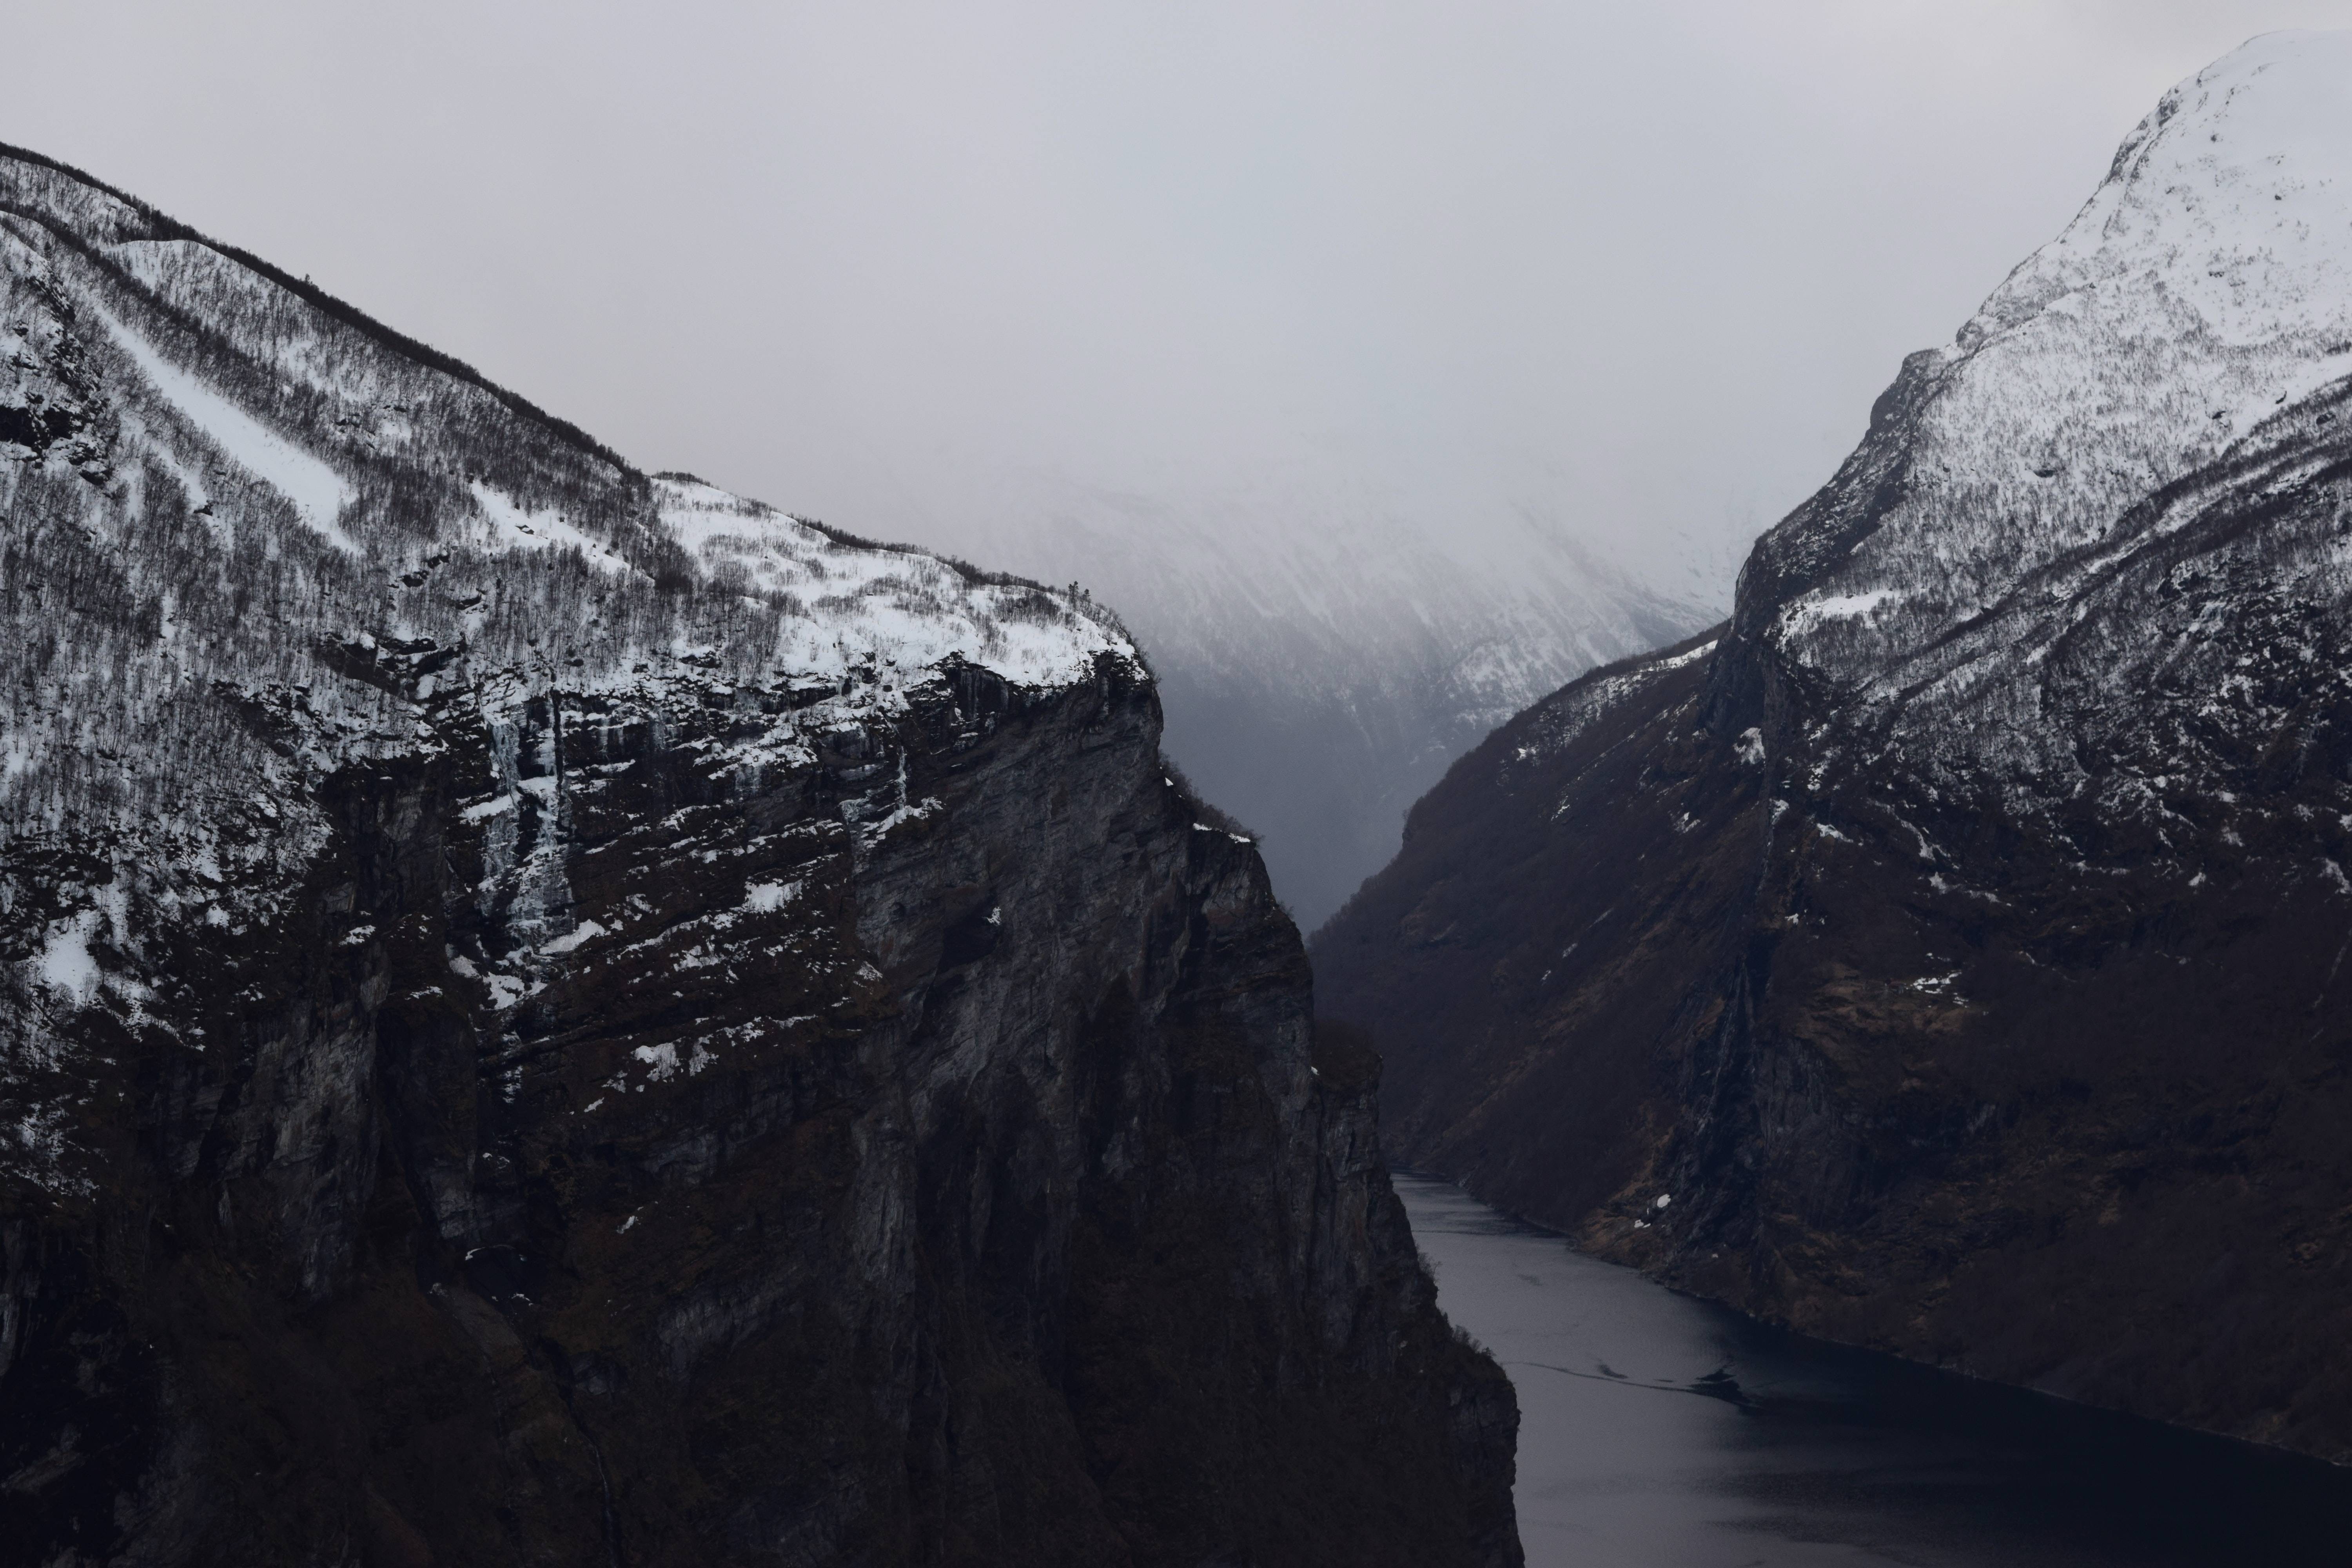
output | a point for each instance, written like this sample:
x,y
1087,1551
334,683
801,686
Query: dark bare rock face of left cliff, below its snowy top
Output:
x,y
1013,1228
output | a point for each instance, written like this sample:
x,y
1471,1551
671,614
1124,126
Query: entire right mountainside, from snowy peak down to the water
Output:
x,y
1949,953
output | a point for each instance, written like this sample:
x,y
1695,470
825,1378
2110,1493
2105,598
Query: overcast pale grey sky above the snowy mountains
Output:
x,y
1645,264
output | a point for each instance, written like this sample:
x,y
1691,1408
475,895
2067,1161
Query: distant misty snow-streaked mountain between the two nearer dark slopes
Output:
x,y
1330,643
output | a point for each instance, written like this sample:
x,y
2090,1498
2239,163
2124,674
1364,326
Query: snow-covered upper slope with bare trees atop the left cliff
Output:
x,y
248,540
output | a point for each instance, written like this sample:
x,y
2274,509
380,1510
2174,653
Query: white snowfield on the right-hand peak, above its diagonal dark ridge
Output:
x,y
2200,293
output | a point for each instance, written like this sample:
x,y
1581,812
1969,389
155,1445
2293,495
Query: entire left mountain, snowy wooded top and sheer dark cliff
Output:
x,y
563,1017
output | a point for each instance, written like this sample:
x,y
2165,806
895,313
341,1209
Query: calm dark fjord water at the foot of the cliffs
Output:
x,y
1664,1433
